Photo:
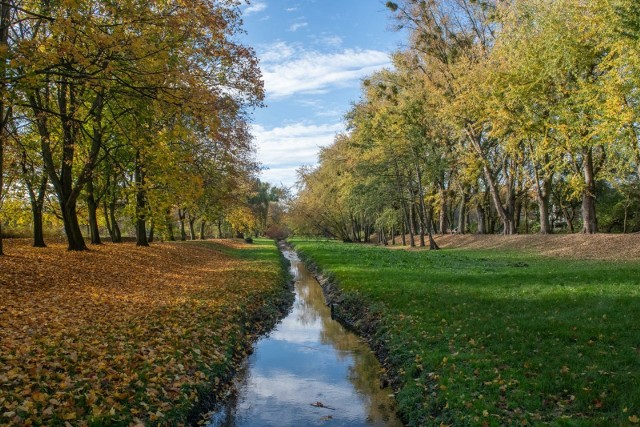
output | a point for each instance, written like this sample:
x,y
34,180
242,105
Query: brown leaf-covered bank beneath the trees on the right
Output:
x,y
619,247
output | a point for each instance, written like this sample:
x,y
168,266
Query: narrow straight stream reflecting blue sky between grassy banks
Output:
x,y
309,371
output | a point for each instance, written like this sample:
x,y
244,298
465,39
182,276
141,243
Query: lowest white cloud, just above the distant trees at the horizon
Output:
x,y
284,149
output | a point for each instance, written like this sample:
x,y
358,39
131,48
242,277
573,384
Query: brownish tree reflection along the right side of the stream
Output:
x,y
364,374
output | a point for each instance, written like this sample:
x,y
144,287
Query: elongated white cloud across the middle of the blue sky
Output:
x,y
311,72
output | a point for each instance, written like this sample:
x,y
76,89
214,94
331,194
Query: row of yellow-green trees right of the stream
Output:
x,y
511,117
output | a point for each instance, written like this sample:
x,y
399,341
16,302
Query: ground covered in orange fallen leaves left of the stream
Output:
x,y
122,335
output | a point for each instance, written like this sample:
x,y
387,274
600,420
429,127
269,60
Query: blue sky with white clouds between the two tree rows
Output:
x,y
313,55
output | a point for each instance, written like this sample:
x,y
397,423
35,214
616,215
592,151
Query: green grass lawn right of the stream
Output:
x,y
500,337
